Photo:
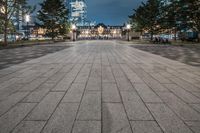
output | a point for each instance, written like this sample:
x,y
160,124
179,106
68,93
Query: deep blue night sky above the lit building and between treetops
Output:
x,y
109,12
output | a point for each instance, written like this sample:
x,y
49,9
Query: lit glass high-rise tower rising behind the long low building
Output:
x,y
78,12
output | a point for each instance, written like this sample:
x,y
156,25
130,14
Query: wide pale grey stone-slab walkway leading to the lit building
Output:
x,y
100,87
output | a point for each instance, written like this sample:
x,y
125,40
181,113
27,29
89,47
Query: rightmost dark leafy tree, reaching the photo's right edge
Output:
x,y
181,15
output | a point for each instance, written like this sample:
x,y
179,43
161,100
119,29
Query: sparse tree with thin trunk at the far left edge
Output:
x,y
8,8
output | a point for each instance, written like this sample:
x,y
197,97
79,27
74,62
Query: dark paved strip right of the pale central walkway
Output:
x,y
189,54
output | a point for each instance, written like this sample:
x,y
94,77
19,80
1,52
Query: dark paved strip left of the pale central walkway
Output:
x,y
13,56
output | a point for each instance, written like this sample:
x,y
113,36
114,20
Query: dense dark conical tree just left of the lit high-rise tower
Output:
x,y
53,17
